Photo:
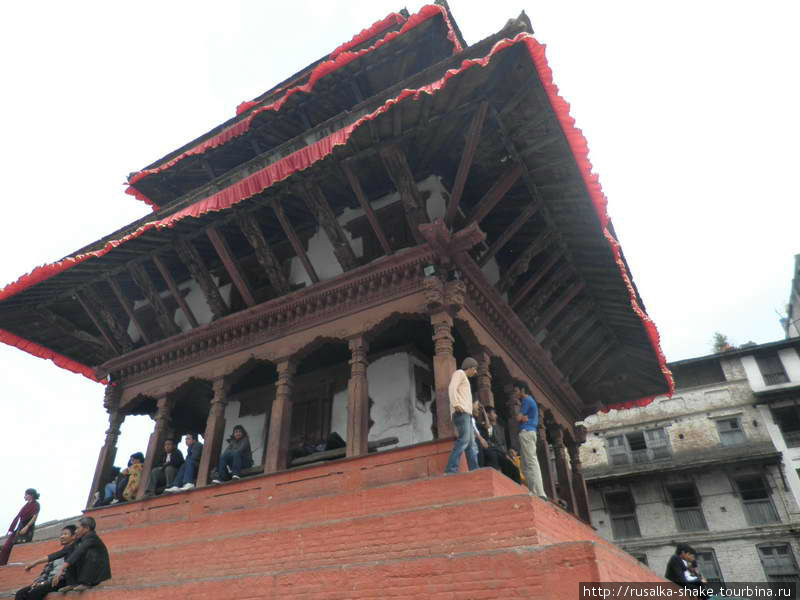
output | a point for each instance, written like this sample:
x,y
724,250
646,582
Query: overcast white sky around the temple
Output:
x,y
690,109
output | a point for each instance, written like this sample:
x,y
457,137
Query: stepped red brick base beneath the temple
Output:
x,y
387,525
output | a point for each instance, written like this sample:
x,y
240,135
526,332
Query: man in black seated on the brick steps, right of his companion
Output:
x,y
88,563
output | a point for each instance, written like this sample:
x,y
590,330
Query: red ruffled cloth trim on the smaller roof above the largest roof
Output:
x,y
321,70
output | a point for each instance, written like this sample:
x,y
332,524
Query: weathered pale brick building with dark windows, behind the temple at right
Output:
x,y
714,465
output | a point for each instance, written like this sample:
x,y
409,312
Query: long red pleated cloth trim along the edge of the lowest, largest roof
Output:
x,y
305,157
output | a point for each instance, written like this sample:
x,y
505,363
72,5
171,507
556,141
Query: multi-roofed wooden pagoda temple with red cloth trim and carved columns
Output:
x,y
321,263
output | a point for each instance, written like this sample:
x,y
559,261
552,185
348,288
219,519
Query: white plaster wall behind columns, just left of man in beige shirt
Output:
x,y
395,410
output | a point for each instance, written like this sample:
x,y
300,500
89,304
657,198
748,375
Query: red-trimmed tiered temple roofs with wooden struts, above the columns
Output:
x,y
403,173
